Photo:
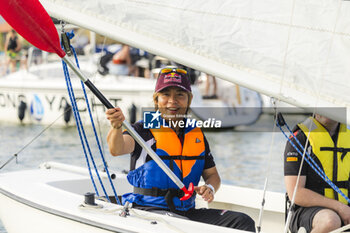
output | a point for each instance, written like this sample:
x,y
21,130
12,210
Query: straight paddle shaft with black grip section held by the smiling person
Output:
x,y
128,127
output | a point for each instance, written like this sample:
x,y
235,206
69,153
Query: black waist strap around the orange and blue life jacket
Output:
x,y
168,194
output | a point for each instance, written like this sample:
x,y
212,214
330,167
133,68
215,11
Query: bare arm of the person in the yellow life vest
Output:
x,y
307,198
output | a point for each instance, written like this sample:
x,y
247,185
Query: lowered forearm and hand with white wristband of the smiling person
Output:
x,y
211,177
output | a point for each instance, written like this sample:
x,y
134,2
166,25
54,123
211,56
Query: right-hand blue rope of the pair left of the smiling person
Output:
x,y
94,129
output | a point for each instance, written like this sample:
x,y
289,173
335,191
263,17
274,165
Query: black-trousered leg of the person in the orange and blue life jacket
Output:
x,y
223,218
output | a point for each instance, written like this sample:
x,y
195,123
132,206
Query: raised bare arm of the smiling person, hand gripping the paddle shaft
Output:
x,y
118,143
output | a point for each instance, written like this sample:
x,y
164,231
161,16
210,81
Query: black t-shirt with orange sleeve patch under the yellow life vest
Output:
x,y
292,158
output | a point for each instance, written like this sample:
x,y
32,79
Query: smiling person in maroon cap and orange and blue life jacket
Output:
x,y
182,147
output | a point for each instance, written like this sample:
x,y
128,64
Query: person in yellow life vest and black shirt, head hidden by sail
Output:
x,y
318,208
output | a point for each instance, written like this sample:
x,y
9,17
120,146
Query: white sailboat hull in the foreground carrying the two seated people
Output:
x,y
51,199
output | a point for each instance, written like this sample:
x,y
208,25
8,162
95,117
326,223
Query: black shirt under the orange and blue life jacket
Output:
x,y
139,155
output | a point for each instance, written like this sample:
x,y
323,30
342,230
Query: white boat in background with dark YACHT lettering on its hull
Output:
x,y
39,96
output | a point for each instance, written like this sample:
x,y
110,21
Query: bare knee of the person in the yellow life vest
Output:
x,y
325,220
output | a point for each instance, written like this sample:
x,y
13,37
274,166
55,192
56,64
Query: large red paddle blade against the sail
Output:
x,y
32,22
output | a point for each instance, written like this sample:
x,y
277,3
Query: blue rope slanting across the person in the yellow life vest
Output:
x,y
311,162
